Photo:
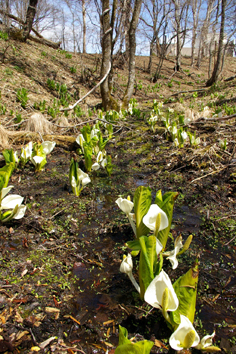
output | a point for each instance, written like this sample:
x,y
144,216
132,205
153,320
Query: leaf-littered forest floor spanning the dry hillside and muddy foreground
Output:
x,y
61,290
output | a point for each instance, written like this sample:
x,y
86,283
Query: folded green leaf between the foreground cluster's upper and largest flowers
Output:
x,y
147,261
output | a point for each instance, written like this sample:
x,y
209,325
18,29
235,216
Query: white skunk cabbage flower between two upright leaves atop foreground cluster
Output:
x,y
150,219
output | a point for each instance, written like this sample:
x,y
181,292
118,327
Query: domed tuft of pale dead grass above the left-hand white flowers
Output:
x,y
38,123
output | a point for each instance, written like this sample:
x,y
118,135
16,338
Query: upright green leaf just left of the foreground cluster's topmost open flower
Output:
x,y
142,202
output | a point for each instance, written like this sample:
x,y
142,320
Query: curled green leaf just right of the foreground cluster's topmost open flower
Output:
x,y
167,205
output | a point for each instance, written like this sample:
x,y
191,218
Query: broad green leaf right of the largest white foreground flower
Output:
x,y
186,291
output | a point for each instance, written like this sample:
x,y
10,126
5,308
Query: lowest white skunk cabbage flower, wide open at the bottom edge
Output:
x,y
185,336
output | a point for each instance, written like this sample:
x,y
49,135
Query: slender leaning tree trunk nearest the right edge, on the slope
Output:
x,y
218,64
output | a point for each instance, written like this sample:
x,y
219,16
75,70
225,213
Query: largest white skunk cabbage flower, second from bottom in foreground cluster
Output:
x,y
160,293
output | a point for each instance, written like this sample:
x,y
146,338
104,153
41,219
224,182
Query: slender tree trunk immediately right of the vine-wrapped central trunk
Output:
x,y
132,49
